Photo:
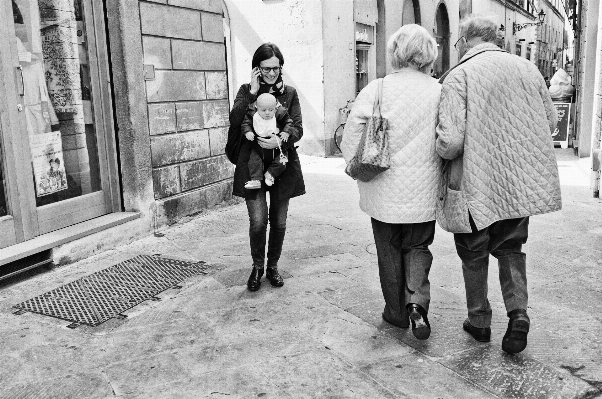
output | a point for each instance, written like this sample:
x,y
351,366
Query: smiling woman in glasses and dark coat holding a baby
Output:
x,y
269,116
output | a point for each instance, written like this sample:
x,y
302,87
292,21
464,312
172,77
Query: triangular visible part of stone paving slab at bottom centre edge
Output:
x,y
286,376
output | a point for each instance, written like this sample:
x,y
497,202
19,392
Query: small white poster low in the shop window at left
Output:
x,y
48,163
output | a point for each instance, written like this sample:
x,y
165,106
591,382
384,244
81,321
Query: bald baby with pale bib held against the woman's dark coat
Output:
x,y
266,119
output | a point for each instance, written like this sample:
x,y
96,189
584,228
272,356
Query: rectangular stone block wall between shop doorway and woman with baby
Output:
x,y
187,104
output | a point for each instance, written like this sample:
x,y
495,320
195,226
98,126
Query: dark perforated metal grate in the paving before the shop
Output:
x,y
96,298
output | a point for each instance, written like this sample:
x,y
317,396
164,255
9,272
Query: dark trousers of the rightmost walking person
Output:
x,y
504,240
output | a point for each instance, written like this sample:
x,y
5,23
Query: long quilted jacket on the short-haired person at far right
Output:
x,y
495,122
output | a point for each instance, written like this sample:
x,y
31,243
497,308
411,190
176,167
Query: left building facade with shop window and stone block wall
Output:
x,y
155,112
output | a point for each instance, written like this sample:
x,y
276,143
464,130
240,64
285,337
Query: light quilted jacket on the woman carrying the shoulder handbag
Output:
x,y
407,192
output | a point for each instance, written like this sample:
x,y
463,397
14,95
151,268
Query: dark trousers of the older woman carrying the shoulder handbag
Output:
x,y
404,262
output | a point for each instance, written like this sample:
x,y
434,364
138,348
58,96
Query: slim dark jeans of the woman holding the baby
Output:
x,y
258,218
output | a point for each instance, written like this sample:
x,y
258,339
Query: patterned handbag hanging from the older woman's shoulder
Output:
x,y
372,156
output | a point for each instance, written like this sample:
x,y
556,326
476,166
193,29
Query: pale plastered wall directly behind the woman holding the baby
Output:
x,y
296,28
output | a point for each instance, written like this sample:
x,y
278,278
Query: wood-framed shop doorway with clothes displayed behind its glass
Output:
x,y
57,153
